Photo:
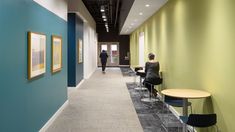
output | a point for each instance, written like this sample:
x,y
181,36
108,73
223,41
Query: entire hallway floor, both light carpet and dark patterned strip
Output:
x,y
102,103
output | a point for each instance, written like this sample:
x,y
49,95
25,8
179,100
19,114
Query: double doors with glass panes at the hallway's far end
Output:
x,y
112,49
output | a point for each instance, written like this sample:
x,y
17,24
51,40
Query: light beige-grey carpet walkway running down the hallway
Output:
x,y
101,104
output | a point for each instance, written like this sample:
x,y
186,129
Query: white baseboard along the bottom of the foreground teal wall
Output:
x,y
52,119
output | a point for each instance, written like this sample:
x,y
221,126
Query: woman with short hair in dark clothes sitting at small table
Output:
x,y
152,74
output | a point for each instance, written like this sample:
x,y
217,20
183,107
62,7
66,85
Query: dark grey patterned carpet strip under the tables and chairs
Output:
x,y
154,117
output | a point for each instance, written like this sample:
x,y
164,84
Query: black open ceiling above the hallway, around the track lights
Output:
x,y
112,10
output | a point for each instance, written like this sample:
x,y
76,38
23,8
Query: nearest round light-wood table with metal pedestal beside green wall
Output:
x,y
186,94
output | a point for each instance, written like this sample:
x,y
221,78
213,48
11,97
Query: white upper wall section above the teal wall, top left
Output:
x,y
58,7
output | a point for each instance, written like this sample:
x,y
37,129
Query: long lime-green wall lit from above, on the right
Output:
x,y
194,42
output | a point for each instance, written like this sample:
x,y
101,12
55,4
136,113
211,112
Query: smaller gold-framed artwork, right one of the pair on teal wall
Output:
x,y
56,53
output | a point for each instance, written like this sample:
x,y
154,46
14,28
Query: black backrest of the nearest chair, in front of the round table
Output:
x,y
202,120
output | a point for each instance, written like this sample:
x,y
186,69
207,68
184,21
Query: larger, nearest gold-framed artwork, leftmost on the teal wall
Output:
x,y
36,54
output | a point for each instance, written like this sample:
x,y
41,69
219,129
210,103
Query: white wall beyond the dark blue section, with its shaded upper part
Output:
x,y
89,38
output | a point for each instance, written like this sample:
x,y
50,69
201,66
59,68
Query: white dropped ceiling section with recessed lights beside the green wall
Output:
x,y
134,19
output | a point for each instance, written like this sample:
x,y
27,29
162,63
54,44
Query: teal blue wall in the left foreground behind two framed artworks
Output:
x,y
25,106
